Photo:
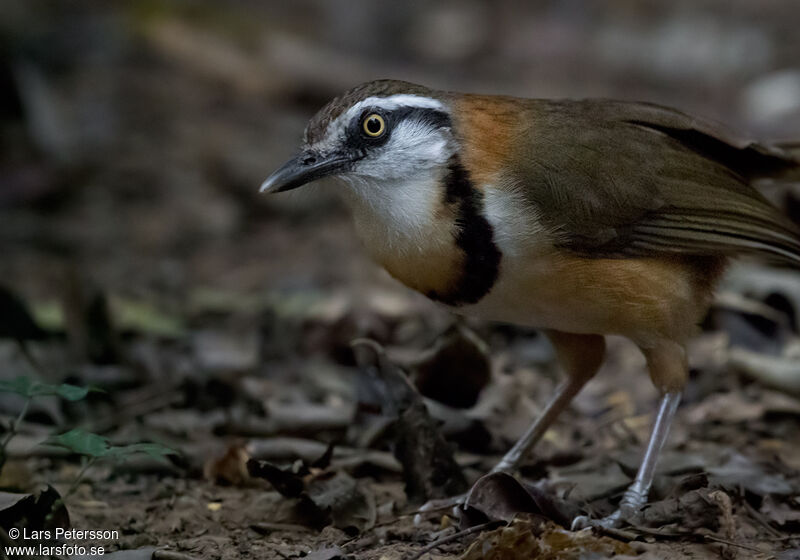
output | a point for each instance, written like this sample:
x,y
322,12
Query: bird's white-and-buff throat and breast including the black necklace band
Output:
x,y
434,236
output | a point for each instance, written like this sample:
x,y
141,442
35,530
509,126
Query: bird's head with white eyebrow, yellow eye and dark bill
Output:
x,y
377,134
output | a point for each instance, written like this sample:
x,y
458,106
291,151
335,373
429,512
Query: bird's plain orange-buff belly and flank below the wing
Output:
x,y
644,299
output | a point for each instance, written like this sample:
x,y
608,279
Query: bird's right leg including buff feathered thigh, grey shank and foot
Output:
x,y
668,370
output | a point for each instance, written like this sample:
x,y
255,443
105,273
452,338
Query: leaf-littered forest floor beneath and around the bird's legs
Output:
x,y
252,393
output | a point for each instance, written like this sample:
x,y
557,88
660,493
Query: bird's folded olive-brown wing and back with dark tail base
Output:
x,y
614,178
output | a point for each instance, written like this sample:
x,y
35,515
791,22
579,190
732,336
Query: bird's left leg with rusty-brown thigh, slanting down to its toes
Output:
x,y
580,355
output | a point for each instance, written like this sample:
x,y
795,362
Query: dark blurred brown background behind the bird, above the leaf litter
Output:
x,y
134,135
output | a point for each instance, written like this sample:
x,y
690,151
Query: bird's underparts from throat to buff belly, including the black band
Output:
x,y
484,252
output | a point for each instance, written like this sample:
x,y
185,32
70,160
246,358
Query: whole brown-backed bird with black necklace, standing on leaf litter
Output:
x,y
582,218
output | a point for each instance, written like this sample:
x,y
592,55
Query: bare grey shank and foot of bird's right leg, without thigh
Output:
x,y
636,495
